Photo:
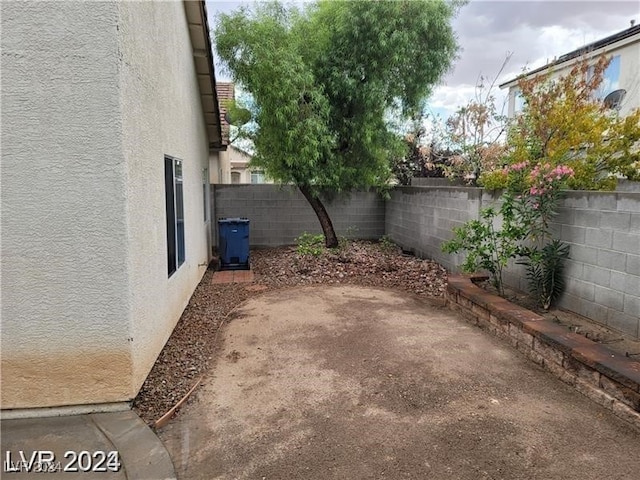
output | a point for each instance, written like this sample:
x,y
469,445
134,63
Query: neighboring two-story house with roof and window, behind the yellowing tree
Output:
x,y
622,74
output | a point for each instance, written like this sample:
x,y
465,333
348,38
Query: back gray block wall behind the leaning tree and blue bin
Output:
x,y
278,214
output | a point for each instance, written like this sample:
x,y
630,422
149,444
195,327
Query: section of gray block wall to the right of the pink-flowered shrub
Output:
x,y
603,273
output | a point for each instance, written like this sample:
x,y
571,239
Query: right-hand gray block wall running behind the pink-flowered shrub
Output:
x,y
601,228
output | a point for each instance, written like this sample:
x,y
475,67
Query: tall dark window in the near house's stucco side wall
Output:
x,y
174,198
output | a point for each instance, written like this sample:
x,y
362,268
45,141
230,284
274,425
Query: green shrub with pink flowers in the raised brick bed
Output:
x,y
529,202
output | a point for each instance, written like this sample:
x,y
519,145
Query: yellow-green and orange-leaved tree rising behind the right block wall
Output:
x,y
563,122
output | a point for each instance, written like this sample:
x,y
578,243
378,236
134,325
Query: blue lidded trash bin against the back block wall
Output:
x,y
233,243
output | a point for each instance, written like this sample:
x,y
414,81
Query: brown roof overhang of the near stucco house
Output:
x,y
196,12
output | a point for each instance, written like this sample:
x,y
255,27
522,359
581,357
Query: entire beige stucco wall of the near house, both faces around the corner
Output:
x,y
90,106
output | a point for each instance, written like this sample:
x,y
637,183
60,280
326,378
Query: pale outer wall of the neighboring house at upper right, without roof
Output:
x,y
629,52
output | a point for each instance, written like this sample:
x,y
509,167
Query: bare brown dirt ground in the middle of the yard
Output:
x,y
348,382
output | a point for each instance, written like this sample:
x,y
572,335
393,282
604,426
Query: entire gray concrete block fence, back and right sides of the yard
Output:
x,y
602,229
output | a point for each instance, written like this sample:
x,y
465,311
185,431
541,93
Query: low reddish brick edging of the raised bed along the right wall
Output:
x,y
603,375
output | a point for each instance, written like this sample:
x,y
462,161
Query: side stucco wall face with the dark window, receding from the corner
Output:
x,y
162,115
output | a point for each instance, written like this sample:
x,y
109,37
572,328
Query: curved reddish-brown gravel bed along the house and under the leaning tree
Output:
x,y
190,350
